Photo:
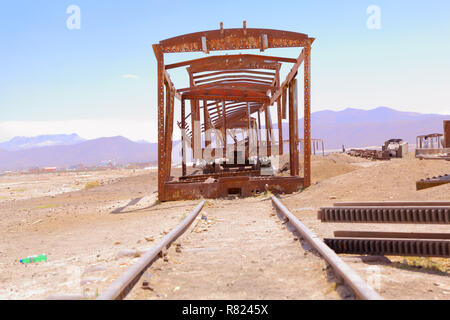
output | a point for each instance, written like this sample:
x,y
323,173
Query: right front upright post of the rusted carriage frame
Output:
x,y
307,116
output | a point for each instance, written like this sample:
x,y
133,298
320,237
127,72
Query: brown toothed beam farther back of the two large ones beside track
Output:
x,y
393,214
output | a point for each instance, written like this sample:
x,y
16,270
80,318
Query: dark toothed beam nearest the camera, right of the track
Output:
x,y
391,247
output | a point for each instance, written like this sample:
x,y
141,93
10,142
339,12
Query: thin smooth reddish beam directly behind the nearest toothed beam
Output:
x,y
391,235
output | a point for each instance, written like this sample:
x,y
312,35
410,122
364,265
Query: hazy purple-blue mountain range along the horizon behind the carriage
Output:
x,y
349,127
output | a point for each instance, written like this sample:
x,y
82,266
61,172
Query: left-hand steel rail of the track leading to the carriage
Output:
x,y
123,285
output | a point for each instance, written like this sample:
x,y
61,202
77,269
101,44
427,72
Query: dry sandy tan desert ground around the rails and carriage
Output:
x,y
92,236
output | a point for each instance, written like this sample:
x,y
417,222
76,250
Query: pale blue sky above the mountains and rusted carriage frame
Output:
x,y
100,80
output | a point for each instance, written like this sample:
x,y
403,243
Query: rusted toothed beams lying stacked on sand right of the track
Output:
x,y
389,243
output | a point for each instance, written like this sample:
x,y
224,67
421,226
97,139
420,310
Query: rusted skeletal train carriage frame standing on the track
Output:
x,y
227,93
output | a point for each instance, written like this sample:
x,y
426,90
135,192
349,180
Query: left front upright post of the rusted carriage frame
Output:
x,y
161,130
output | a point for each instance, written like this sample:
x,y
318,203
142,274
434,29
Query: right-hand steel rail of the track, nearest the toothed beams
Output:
x,y
360,287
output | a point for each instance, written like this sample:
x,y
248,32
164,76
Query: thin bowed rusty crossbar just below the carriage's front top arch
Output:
x,y
229,58
